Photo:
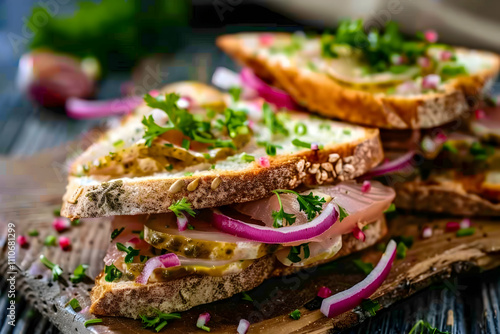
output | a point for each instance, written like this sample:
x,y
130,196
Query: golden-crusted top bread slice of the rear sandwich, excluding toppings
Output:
x,y
321,93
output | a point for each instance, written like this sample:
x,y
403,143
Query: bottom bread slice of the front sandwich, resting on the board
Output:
x,y
128,299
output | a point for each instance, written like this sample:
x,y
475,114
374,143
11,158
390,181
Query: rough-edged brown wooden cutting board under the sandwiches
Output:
x,y
30,189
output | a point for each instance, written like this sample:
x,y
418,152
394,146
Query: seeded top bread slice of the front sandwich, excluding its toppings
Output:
x,y
348,151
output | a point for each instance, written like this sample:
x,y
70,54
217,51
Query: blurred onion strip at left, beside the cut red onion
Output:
x,y
84,109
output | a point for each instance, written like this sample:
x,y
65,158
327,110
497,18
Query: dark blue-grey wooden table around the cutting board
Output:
x,y
25,130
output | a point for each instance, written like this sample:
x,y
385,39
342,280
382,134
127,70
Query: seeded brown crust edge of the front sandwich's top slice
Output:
x,y
87,197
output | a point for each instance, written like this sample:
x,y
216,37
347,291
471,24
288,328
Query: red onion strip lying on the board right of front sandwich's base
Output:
x,y
350,298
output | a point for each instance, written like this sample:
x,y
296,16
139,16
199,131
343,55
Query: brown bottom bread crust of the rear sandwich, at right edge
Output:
x,y
450,198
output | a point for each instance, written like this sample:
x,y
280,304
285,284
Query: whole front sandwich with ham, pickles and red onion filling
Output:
x,y
212,194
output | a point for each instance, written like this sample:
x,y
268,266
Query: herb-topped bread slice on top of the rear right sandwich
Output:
x,y
375,78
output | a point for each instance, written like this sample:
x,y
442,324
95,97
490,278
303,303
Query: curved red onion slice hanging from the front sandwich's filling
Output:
x,y
282,235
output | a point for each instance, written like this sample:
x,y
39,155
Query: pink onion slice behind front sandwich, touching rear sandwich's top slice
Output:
x,y
271,94
